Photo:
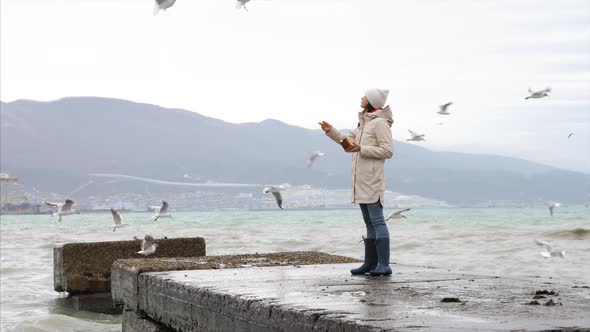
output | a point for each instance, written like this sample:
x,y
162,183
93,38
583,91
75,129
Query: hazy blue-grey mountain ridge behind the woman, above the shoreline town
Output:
x,y
54,145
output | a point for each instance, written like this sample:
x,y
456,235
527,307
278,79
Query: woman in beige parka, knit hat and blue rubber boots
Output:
x,y
372,145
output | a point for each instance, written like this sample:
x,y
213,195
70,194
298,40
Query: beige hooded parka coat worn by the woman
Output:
x,y
373,135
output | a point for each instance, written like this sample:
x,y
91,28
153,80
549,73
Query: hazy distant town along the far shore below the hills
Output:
x,y
16,199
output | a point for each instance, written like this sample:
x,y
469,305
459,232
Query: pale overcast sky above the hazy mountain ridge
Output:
x,y
301,61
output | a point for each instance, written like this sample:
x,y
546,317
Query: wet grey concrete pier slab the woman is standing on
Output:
x,y
327,298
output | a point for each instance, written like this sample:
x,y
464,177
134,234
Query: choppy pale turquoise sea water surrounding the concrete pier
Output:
x,y
498,241
